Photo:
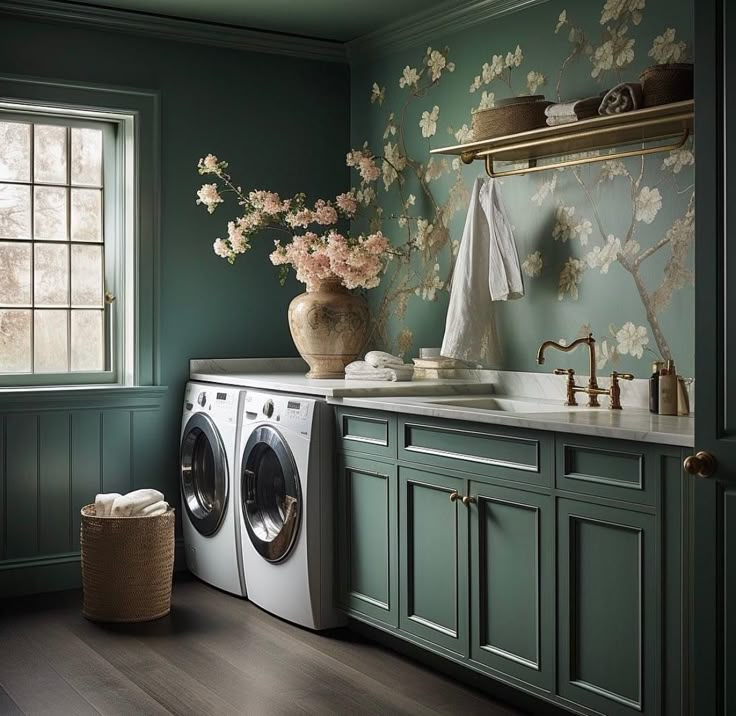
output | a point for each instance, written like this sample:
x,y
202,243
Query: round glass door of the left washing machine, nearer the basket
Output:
x,y
204,474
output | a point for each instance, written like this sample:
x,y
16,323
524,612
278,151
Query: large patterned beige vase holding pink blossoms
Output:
x,y
329,326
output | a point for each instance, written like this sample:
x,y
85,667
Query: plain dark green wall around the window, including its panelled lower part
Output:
x,y
283,124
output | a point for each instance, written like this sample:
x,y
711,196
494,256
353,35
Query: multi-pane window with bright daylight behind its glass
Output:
x,y
61,253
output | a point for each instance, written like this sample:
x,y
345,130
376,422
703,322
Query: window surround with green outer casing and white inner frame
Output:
x,y
136,114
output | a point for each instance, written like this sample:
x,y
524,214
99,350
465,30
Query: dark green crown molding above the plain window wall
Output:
x,y
169,28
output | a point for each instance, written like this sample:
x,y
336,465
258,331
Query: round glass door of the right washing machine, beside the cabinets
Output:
x,y
271,495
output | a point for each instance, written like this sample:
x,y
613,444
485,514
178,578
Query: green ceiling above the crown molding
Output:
x,y
338,20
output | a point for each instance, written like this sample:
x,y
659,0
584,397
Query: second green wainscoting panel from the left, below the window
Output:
x,y
54,468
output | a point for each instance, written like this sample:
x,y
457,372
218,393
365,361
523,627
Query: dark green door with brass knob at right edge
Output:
x,y
713,498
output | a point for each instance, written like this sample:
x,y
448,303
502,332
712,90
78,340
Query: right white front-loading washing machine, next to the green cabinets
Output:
x,y
286,507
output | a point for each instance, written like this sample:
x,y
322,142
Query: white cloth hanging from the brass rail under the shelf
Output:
x,y
487,270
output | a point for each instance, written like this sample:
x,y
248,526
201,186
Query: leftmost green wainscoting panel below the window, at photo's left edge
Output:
x,y
21,486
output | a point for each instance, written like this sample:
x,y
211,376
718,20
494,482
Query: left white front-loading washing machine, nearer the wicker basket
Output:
x,y
208,465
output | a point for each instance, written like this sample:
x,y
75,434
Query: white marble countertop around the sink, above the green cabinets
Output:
x,y
627,424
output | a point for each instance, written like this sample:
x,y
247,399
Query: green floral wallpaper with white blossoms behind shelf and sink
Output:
x,y
605,247
